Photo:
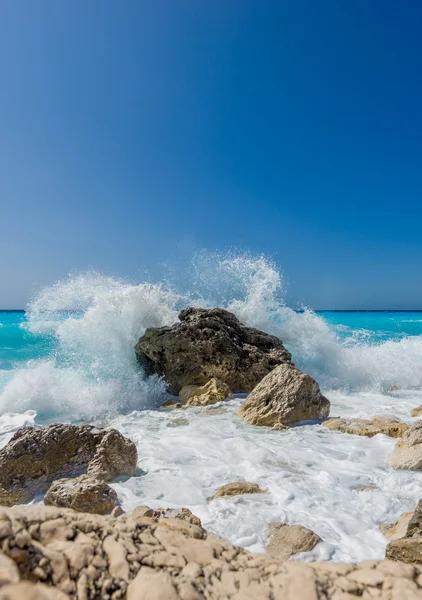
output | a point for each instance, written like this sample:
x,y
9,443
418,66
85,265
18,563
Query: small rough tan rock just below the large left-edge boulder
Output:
x,y
84,494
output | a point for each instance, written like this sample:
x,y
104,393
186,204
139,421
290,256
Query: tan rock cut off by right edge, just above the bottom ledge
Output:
x,y
406,538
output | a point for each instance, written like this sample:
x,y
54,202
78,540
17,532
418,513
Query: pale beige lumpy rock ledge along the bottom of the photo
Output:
x,y
59,555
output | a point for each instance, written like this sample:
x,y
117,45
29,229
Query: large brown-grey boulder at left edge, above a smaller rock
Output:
x,y
34,458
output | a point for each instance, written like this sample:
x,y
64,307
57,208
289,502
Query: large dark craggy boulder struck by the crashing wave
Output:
x,y
206,344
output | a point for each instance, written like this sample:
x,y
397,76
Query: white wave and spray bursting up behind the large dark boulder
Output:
x,y
97,320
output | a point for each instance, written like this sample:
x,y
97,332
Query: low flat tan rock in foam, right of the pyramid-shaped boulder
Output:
x,y
369,427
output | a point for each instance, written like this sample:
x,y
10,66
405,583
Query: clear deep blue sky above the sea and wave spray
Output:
x,y
130,129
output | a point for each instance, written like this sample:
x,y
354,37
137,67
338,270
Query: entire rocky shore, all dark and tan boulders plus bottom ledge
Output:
x,y
82,545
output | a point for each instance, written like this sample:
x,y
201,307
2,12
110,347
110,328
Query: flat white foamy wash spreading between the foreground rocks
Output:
x,y
308,471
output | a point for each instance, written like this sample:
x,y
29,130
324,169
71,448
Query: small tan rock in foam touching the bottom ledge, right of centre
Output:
x,y
287,540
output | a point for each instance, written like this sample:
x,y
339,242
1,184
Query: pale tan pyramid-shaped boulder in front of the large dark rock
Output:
x,y
284,396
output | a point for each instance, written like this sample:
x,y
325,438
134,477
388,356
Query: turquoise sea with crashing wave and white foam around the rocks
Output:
x,y
70,358
